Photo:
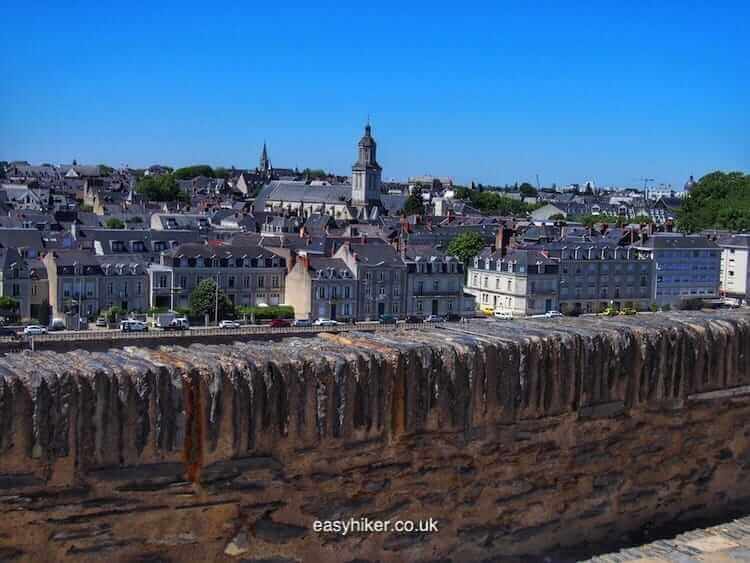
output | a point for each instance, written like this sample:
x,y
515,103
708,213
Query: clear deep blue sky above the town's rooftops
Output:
x,y
495,92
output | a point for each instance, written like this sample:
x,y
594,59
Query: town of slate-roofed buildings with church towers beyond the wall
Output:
x,y
81,242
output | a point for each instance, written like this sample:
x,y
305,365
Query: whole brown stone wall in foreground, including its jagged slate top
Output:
x,y
521,438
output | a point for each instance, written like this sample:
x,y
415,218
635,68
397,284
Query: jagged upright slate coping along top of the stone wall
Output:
x,y
63,415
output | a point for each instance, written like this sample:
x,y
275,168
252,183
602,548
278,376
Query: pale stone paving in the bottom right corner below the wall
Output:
x,y
724,543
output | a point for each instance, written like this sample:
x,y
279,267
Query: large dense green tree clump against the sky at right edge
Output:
x,y
719,200
